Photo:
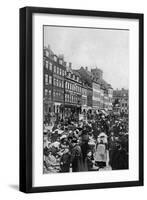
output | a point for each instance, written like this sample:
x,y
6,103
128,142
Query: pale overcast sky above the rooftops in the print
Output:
x,y
106,49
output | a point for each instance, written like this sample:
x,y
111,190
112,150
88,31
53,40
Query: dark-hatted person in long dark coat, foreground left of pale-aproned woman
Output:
x,y
76,156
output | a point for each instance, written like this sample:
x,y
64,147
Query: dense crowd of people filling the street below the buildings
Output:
x,y
100,143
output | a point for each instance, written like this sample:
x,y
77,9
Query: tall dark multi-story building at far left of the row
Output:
x,y
54,71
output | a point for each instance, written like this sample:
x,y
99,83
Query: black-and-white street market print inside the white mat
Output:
x,y
85,99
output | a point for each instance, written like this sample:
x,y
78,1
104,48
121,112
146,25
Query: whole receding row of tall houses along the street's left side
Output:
x,y
68,91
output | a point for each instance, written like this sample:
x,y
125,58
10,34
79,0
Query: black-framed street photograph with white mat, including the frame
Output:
x,y
81,99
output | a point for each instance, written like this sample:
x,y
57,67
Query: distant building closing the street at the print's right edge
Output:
x,y
121,100
